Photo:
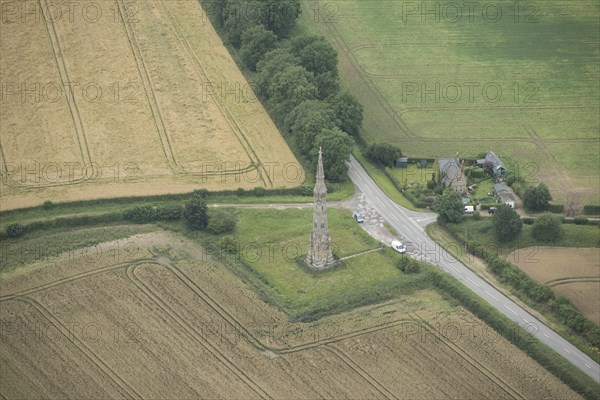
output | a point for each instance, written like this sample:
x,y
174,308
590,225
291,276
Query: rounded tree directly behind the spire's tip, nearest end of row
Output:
x,y
337,146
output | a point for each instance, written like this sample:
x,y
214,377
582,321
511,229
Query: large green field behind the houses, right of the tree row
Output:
x,y
518,78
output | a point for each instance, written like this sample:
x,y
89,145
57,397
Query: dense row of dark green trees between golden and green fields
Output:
x,y
295,77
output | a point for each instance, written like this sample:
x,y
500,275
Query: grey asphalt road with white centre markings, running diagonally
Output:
x,y
411,225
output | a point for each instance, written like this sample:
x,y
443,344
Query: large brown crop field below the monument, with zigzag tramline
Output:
x,y
163,319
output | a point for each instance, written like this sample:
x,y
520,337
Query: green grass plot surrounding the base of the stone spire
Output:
x,y
276,241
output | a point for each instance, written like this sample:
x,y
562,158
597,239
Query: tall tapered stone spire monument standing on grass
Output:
x,y
319,254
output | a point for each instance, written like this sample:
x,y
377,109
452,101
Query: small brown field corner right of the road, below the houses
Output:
x,y
573,272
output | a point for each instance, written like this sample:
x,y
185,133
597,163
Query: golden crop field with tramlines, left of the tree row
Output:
x,y
130,98
